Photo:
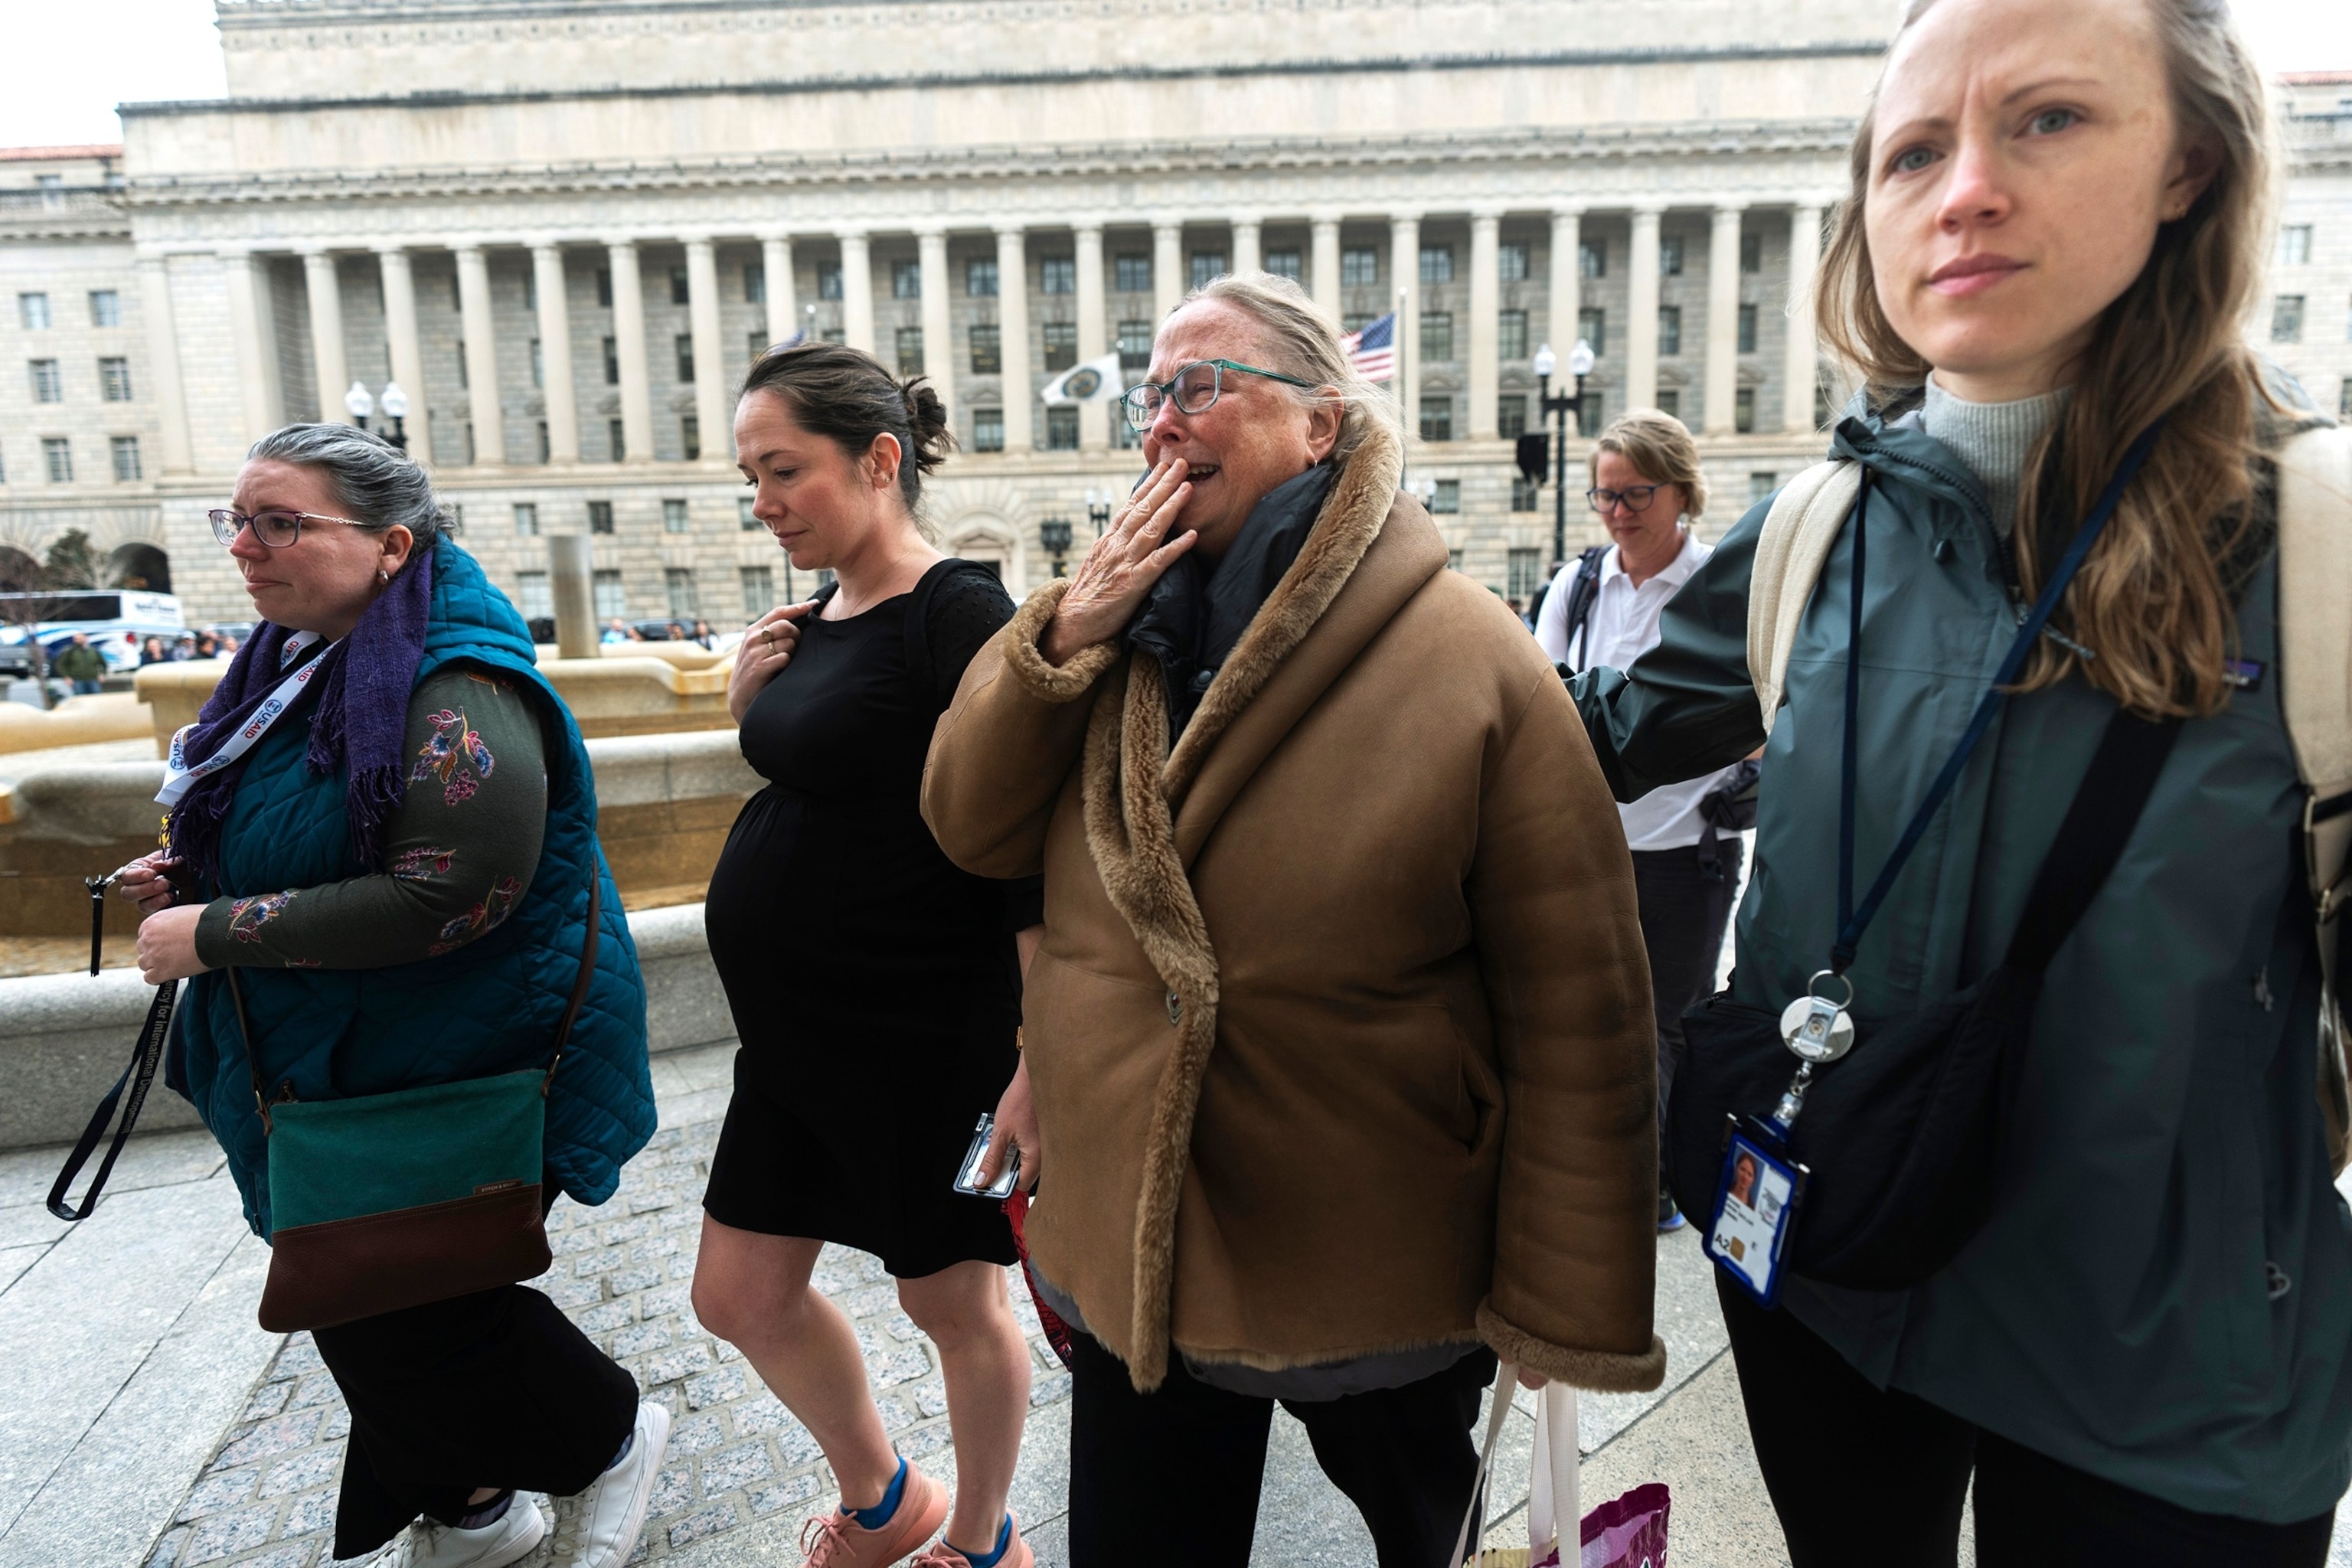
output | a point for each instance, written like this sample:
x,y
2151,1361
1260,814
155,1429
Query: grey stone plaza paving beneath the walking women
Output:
x,y
149,1423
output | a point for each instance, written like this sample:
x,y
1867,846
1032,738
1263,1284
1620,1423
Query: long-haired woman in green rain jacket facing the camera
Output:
x,y
2057,227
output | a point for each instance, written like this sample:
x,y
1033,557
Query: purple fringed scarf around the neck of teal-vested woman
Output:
x,y
361,718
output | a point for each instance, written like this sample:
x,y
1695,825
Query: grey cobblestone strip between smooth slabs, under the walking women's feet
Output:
x,y
622,1273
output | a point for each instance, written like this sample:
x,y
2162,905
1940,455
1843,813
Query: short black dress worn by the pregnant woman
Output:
x,y
874,984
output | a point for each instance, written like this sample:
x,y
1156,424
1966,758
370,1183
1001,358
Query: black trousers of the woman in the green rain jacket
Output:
x,y
1871,1477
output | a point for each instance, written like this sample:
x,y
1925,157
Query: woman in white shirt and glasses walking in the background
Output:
x,y
1648,490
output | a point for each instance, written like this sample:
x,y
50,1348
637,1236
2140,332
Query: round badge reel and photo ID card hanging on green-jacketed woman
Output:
x,y
1760,1188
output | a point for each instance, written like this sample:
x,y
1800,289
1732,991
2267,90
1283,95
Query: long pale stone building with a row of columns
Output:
x,y
563,227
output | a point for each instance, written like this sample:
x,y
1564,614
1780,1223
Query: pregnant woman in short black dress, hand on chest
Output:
x,y
855,1101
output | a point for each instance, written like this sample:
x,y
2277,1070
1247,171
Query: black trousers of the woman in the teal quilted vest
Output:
x,y
481,1391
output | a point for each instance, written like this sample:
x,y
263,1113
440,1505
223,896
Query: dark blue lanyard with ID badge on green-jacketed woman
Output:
x,y
1760,1184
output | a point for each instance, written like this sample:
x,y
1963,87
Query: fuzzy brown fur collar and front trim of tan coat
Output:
x,y
1132,789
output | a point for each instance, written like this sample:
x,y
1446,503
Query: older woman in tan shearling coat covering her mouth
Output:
x,y
1339,1036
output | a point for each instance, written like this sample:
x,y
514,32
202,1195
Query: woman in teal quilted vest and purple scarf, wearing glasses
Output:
x,y
385,819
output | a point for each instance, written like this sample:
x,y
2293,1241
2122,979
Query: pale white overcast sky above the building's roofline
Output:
x,y
69,65
